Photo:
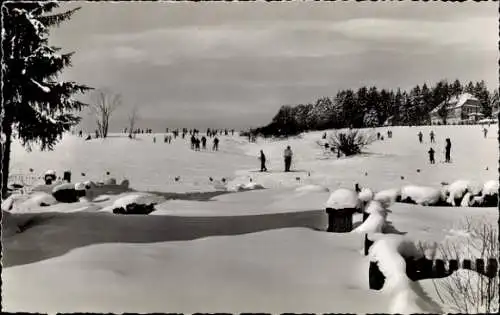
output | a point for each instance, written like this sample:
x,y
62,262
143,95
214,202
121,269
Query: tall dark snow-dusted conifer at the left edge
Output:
x,y
37,108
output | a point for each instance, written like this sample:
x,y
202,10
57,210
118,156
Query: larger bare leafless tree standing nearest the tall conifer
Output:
x,y
104,103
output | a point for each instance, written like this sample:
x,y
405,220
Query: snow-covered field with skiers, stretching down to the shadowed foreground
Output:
x,y
253,251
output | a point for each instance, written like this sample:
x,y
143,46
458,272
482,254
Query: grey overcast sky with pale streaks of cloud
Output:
x,y
234,64
